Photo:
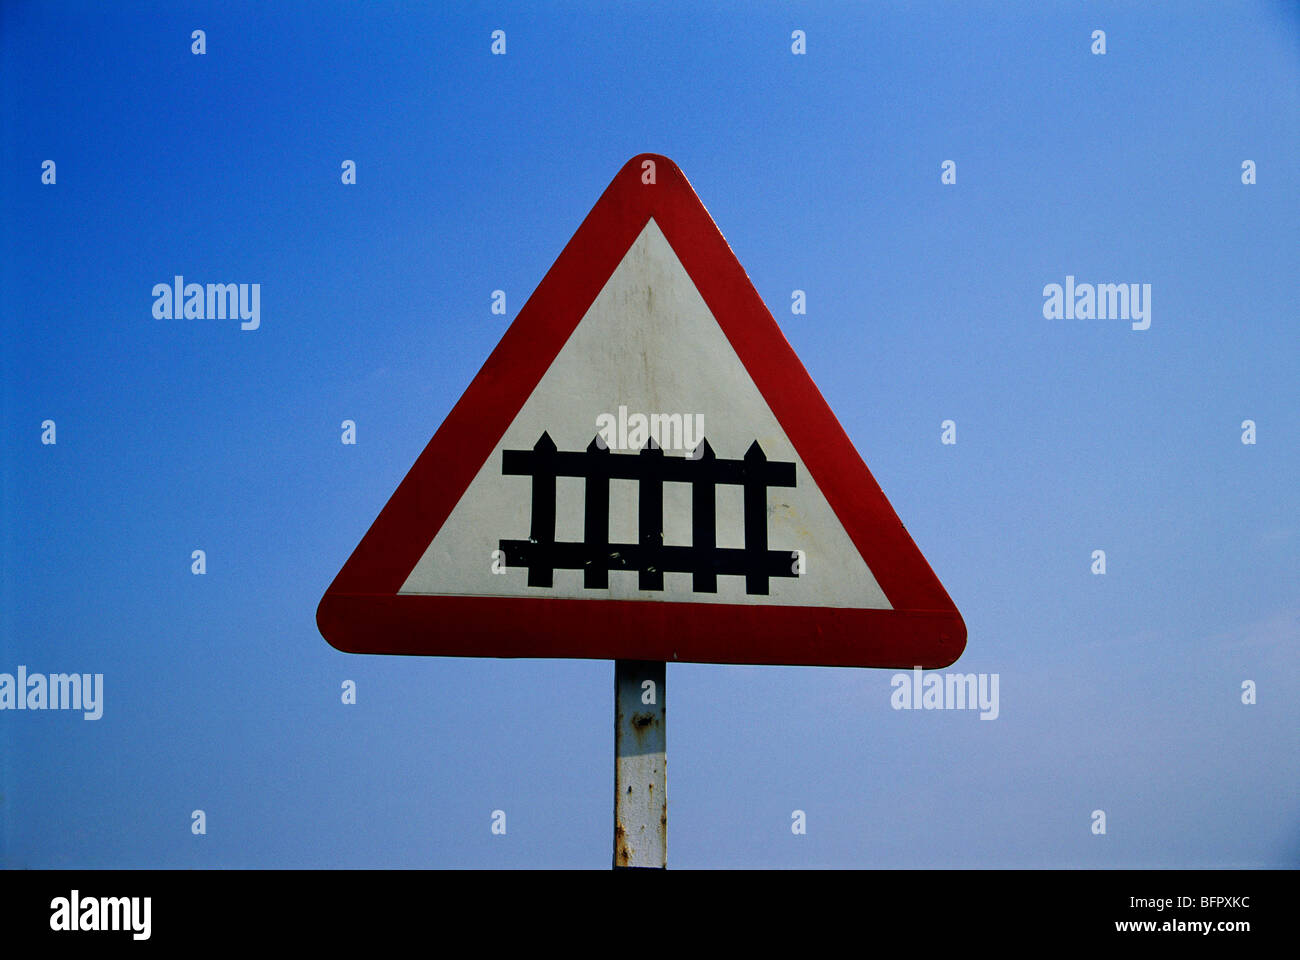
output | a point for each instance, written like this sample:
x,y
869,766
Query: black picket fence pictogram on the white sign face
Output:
x,y
596,556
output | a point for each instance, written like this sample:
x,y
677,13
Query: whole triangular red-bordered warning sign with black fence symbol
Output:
x,y
644,470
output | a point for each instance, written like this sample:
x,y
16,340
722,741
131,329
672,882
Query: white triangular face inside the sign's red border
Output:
x,y
647,360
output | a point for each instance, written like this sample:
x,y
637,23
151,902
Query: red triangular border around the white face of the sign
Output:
x,y
363,613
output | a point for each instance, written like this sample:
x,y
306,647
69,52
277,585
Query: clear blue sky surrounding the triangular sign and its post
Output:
x,y
1117,693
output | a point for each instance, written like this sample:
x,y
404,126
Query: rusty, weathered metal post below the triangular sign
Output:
x,y
640,766
